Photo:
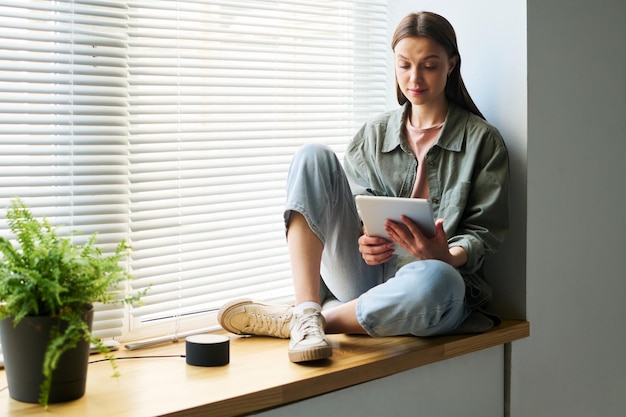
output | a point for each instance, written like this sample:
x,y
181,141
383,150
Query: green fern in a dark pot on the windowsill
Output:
x,y
48,286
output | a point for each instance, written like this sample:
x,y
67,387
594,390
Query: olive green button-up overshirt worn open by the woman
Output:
x,y
468,179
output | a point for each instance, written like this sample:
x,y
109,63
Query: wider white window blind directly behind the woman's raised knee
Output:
x,y
221,95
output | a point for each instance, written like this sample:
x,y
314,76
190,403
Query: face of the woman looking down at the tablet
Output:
x,y
422,68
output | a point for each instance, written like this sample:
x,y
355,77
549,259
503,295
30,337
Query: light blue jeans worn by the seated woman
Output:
x,y
423,298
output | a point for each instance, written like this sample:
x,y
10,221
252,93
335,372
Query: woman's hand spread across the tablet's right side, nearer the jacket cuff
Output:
x,y
408,235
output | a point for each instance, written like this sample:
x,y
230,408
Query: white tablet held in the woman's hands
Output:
x,y
375,210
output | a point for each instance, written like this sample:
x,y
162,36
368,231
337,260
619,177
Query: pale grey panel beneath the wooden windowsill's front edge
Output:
x,y
468,386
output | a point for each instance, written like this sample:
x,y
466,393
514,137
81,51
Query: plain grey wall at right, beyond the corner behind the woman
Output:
x,y
573,364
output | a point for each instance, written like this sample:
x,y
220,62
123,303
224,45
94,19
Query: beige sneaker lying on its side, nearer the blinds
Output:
x,y
253,318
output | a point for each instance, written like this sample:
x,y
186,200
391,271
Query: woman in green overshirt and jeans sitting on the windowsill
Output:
x,y
438,146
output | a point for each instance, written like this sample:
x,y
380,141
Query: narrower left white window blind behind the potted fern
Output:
x,y
63,105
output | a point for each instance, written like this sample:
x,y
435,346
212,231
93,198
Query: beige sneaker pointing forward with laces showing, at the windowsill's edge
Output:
x,y
308,341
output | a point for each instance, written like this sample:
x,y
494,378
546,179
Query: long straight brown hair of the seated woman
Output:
x,y
437,28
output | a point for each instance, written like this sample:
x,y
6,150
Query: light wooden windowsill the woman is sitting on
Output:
x,y
258,377
